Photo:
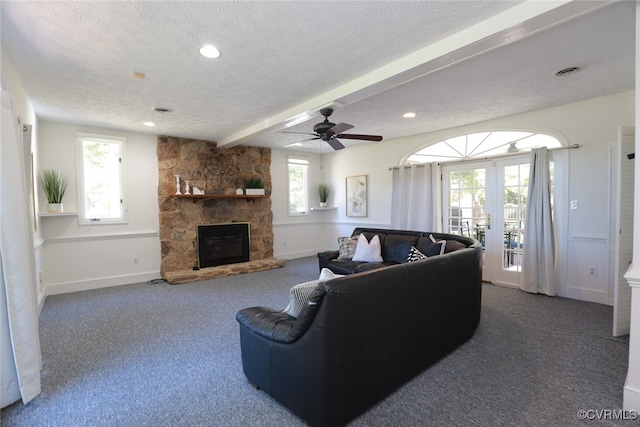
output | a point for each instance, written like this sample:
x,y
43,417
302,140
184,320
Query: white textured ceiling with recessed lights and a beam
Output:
x,y
76,61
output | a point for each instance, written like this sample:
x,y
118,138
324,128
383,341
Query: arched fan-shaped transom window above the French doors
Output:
x,y
481,145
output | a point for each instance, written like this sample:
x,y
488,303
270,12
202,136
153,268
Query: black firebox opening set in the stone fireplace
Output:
x,y
222,244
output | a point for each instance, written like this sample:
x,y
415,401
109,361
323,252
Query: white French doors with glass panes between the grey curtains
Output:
x,y
487,200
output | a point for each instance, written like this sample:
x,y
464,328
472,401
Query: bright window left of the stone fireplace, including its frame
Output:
x,y
100,179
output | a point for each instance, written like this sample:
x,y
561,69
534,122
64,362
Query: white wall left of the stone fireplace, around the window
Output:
x,y
78,257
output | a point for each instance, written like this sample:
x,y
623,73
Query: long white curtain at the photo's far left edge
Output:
x,y
21,362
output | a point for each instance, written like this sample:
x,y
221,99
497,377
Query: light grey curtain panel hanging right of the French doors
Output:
x,y
538,262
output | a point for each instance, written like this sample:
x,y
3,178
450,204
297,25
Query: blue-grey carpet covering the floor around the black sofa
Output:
x,y
163,355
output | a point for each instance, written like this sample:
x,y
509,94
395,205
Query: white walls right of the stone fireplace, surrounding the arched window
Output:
x,y
584,242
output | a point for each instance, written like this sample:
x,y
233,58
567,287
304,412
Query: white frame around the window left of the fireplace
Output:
x,y
83,219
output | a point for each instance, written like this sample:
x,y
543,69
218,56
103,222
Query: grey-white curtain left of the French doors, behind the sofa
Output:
x,y
413,202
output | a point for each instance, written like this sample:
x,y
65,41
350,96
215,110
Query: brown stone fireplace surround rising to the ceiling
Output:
x,y
216,171
